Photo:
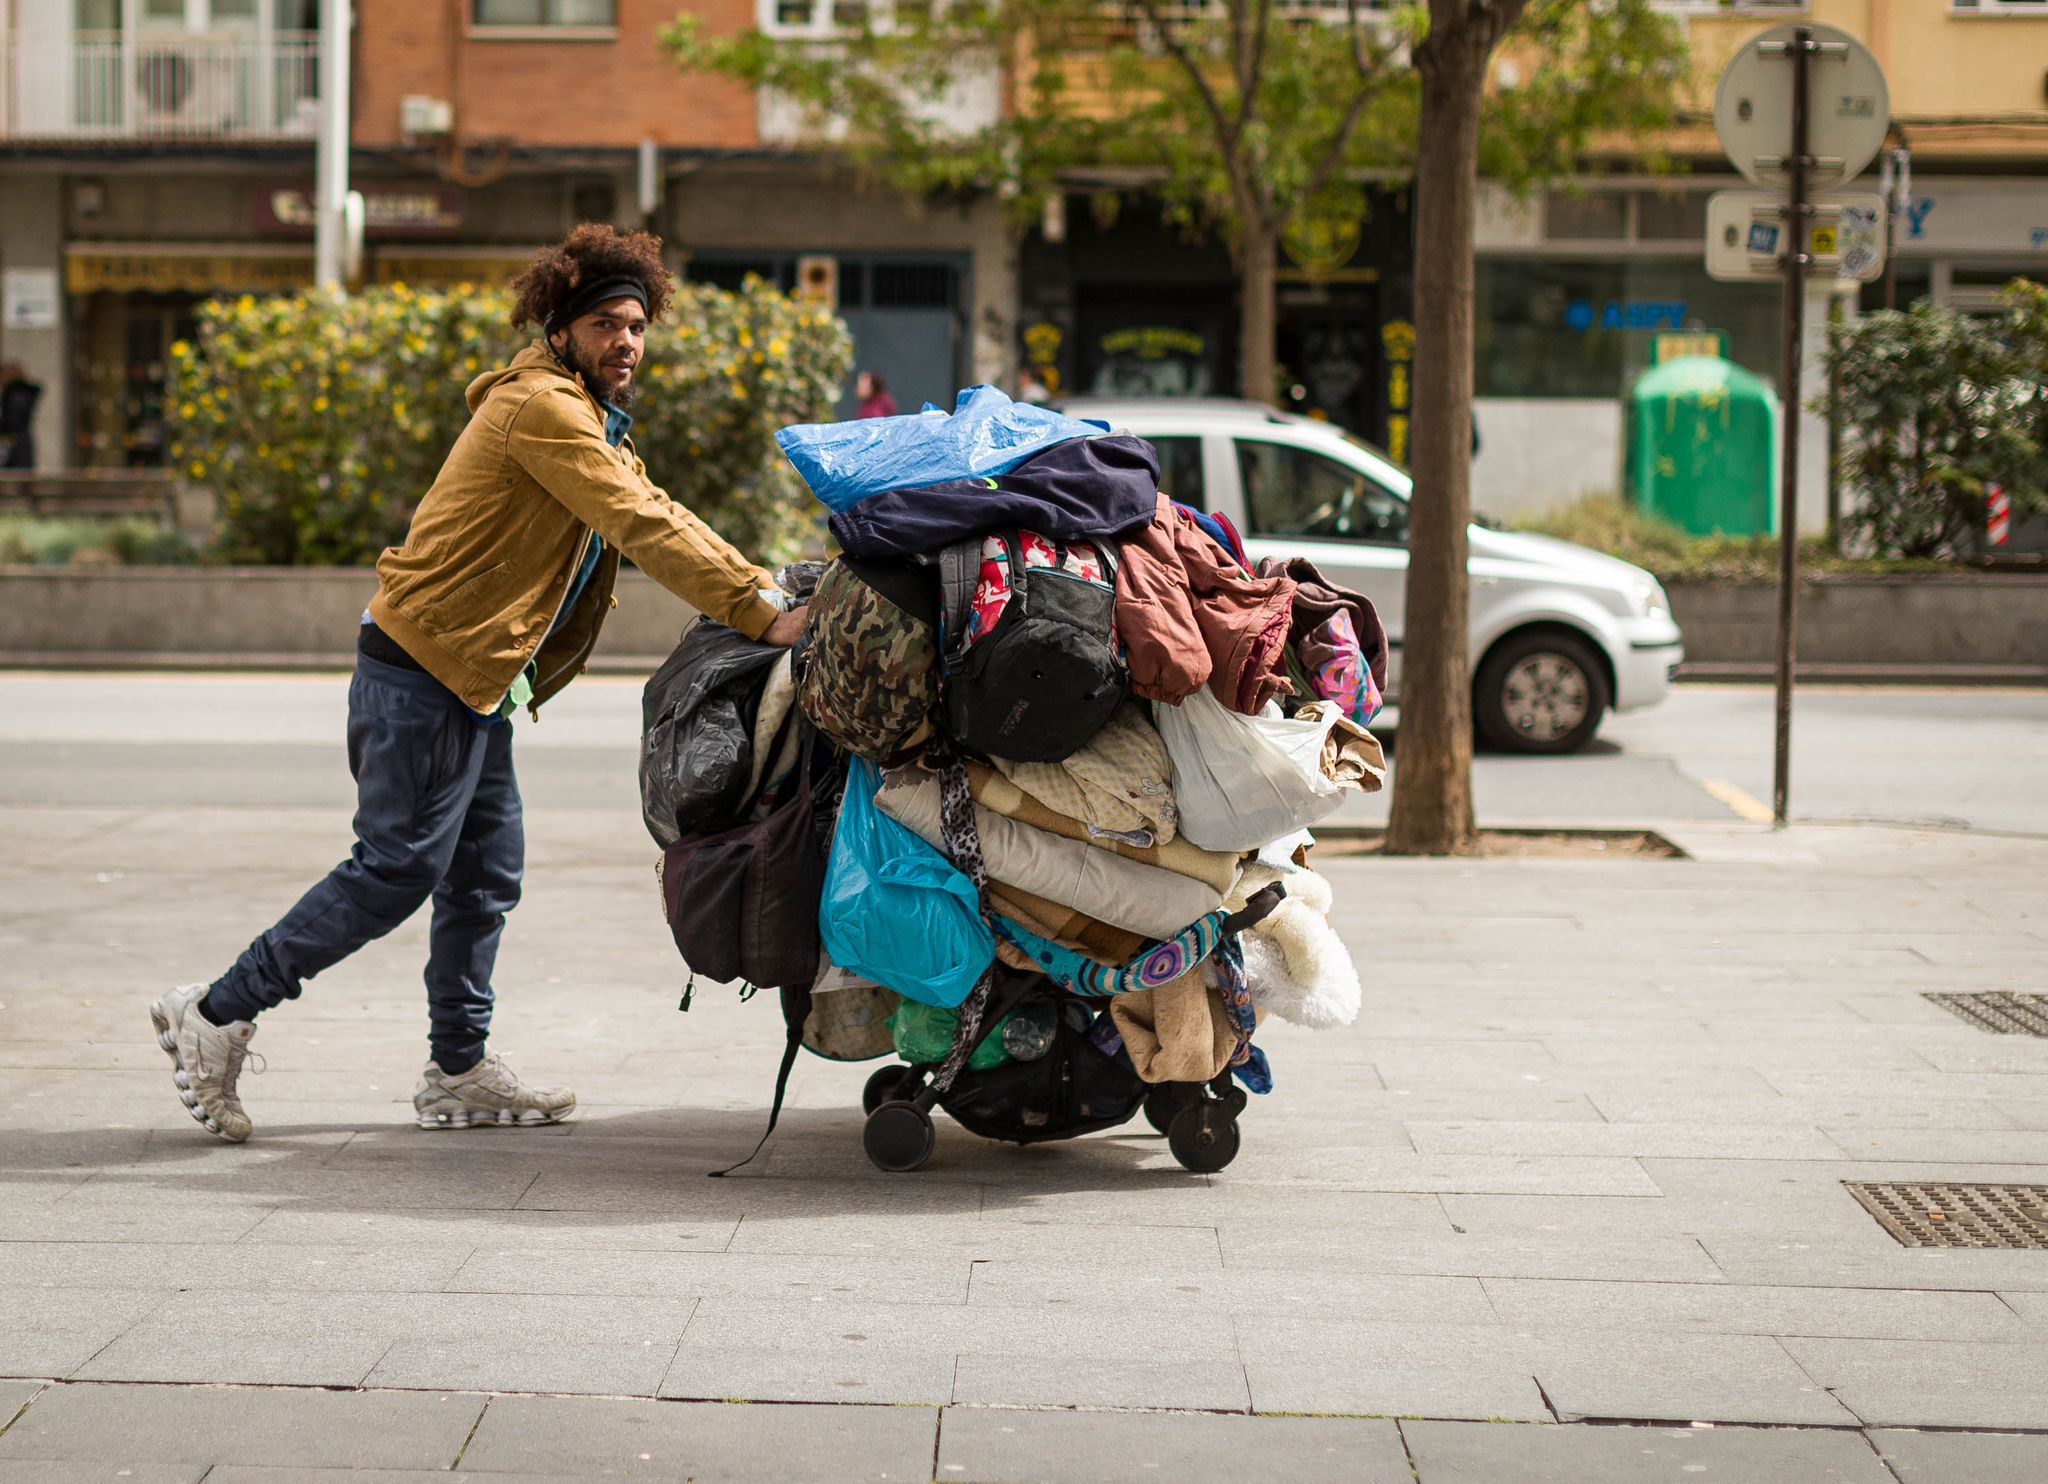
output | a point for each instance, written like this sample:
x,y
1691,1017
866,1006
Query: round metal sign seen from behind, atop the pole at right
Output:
x,y
1848,107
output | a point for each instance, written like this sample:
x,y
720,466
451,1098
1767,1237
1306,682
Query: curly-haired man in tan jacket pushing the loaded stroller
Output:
x,y
493,603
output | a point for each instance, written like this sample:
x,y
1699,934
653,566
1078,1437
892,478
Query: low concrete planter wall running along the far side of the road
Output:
x,y
292,617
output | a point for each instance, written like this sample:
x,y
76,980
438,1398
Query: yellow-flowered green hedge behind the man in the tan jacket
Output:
x,y
321,421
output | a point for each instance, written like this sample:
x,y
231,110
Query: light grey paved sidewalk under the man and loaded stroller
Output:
x,y
1576,1170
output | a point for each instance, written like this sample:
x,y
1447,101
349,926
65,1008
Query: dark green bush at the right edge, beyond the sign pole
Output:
x,y
1938,408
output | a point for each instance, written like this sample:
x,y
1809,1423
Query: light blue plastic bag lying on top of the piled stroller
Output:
x,y
984,435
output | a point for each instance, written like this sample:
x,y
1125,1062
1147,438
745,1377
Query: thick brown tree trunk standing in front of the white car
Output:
x,y
1433,814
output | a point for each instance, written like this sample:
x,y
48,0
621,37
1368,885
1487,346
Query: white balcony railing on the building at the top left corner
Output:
x,y
163,87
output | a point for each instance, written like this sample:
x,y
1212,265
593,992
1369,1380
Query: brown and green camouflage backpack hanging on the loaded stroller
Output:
x,y
871,672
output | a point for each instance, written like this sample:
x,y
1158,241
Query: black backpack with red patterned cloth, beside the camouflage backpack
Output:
x,y
1048,679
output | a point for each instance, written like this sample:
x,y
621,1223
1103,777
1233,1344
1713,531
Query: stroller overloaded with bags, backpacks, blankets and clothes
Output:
x,y
1029,808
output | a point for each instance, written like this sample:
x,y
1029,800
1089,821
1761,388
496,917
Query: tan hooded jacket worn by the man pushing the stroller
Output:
x,y
488,560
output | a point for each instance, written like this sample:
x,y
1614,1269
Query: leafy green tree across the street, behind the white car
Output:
x,y
1248,120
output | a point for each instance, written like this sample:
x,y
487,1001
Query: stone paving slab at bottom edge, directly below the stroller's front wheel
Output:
x,y
1123,1448
